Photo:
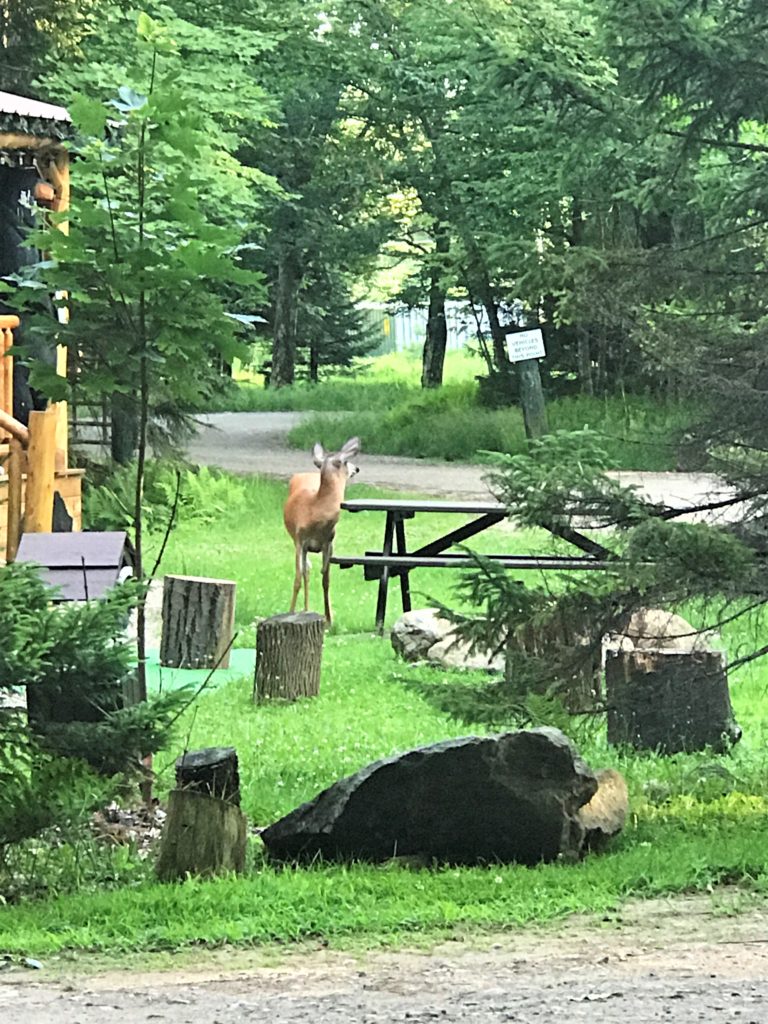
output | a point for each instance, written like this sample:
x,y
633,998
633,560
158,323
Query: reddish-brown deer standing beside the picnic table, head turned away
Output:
x,y
312,513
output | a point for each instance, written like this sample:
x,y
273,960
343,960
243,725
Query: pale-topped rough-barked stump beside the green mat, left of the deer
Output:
x,y
198,622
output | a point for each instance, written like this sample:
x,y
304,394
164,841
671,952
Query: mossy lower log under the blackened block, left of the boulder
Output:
x,y
202,836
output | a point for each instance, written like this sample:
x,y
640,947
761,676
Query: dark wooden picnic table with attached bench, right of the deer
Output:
x,y
395,560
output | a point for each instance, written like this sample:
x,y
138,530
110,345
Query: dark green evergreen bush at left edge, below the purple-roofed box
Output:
x,y
75,664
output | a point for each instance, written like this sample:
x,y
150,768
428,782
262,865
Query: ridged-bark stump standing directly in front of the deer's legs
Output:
x,y
289,653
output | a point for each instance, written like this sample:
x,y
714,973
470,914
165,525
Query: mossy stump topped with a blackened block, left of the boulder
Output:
x,y
205,830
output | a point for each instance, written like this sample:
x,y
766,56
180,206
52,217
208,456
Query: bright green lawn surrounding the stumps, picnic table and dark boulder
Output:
x,y
697,822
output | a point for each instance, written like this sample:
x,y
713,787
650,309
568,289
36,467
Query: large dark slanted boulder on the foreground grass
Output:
x,y
514,797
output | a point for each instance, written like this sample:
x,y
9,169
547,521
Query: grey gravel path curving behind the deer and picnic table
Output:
x,y
255,443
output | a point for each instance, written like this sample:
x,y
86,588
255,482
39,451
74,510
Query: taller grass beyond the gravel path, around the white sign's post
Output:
x,y
385,405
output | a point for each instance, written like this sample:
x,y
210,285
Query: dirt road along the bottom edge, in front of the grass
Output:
x,y
666,961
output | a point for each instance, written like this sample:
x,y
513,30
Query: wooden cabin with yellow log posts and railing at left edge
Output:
x,y
34,443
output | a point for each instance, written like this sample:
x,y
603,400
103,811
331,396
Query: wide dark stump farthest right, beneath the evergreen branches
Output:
x,y
669,702
